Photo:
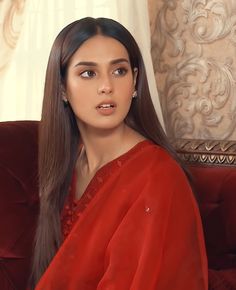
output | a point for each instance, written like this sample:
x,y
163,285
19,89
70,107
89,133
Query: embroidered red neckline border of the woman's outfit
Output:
x,y
73,208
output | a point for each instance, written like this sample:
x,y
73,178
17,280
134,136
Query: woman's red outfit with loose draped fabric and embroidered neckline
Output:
x,y
136,227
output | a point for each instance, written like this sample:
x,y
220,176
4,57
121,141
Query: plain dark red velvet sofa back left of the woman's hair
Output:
x,y
18,201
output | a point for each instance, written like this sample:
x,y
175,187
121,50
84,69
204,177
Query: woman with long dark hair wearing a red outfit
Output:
x,y
116,211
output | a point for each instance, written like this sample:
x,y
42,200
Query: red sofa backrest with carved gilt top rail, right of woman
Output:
x,y
212,164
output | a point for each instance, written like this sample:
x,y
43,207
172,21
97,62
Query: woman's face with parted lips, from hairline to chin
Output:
x,y
100,83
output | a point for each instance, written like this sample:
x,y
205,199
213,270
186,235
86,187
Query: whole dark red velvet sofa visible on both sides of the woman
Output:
x,y
213,167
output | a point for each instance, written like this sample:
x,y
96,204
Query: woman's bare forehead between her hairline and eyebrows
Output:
x,y
100,48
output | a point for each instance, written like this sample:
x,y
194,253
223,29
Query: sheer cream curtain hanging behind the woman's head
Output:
x,y
21,87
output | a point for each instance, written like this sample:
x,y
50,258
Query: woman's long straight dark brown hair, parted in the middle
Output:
x,y
59,136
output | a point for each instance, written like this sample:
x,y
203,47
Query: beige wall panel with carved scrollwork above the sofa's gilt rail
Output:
x,y
194,56
